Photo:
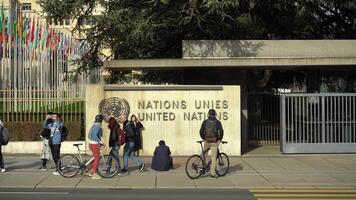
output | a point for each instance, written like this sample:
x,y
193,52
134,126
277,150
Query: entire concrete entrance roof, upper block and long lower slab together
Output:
x,y
268,54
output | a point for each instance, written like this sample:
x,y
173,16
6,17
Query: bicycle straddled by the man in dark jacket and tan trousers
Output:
x,y
196,165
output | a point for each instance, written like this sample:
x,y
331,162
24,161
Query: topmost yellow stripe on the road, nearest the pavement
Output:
x,y
304,190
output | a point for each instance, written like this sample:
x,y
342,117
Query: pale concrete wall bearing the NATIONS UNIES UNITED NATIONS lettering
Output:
x,y
174,127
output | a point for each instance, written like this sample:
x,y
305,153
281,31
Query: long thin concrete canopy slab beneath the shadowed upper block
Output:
x,y
273,63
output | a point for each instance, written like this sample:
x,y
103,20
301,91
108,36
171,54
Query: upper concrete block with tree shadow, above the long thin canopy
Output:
x,y
269,48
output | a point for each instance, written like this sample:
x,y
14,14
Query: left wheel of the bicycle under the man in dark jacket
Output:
x,y
194,167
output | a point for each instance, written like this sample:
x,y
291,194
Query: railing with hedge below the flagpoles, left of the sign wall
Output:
x,y
23,111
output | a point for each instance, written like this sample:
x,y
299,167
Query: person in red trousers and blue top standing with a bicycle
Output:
x,y
95,135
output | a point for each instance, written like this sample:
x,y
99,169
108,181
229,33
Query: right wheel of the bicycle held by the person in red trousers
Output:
x,y
108,166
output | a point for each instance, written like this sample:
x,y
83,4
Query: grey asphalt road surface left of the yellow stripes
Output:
x,y
13,194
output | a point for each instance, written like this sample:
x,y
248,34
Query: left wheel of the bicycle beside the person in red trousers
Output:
x,y
68,166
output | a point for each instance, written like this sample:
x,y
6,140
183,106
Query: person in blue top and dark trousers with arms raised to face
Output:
x,y
55,139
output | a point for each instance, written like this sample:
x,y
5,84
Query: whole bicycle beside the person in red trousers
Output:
x,y
70,165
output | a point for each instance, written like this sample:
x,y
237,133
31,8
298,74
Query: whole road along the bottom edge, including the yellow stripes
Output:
x,y
173,194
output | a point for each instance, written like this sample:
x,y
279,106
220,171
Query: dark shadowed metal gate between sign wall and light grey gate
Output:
x,y
263,118
